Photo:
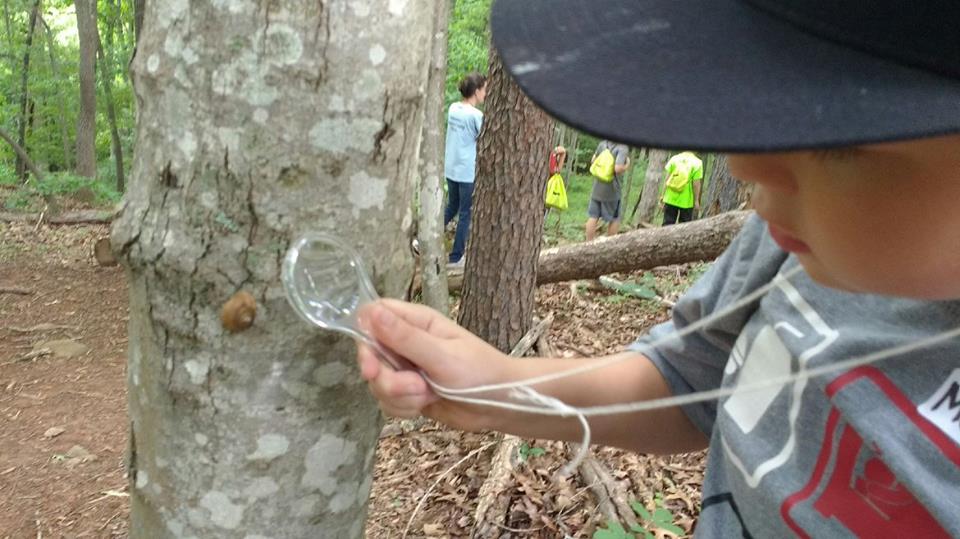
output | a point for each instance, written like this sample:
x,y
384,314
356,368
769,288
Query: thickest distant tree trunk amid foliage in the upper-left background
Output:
x,y
87,115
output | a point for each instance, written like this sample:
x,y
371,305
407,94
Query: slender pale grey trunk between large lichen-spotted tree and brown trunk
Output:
x,y
433,259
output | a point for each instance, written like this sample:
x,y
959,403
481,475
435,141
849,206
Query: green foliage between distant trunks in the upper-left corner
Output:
x,y
53,84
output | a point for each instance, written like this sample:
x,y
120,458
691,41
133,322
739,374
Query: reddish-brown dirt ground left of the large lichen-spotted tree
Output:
x,y
68,484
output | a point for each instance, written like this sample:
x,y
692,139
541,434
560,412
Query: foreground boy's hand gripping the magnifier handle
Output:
x,y
450,355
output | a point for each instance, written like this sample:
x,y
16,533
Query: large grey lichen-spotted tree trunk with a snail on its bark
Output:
x,y
257,122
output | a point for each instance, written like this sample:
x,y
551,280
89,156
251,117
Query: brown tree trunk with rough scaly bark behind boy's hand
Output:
x,y
501,270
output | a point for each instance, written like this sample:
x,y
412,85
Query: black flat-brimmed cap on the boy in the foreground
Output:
x,y
738,75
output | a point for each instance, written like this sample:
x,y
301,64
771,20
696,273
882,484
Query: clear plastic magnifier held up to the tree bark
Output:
x,y
326,284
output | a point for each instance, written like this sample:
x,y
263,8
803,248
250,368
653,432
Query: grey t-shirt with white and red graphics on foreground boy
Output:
x,y
870,452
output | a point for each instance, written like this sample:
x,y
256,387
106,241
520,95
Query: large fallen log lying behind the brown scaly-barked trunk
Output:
x,y
696,241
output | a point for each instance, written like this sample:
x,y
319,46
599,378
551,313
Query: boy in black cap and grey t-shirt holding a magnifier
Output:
x,y
846,121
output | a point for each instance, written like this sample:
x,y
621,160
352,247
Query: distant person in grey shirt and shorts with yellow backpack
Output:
x,y
607,166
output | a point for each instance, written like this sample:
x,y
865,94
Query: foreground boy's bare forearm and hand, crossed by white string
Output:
x,y
455,358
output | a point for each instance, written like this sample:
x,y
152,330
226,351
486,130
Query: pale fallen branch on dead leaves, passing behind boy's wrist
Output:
x,y
496,492
